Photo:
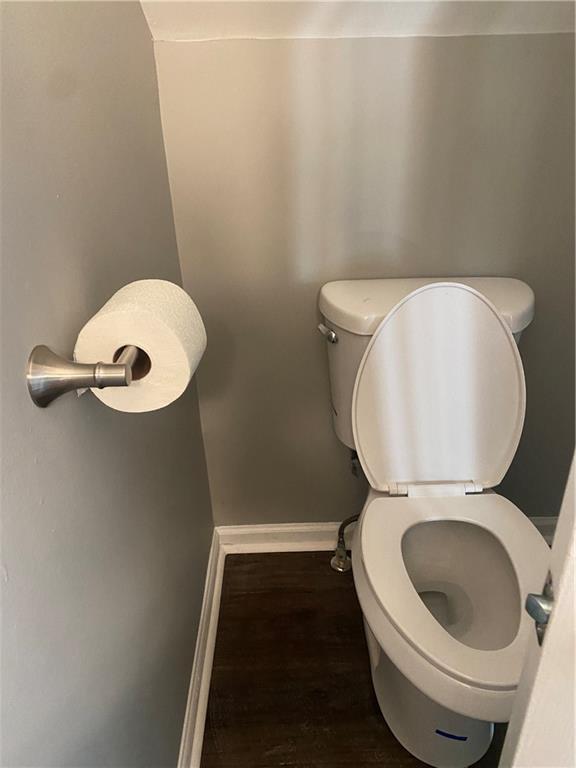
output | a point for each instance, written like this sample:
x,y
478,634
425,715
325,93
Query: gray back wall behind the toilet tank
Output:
x,y
295,162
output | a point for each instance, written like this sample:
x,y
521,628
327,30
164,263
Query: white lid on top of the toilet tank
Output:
x,y
359,306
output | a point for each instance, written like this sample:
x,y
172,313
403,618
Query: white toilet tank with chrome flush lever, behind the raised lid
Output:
x,y
353,309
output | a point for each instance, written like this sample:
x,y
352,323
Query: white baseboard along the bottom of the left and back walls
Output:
x,y
227,539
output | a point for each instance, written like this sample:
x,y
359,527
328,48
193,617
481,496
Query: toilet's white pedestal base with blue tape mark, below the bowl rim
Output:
x,y
432,733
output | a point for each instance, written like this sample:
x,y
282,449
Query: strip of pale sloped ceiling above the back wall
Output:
x,y
180,20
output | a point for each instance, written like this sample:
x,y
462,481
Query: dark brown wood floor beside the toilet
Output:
x,y
291,682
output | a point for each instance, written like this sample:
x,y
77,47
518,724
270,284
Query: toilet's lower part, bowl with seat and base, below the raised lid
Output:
x,y
441,582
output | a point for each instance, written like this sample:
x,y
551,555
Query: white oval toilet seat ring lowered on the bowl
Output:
x,y
384,524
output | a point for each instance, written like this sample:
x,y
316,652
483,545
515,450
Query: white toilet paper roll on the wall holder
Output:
x,y
159,318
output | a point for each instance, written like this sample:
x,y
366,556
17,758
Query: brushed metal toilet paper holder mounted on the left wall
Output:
x,y
49,375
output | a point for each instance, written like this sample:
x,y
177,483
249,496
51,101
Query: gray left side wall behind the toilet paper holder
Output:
x,y
106,516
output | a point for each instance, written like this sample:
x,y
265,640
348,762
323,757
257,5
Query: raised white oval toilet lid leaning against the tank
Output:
x,y
440,393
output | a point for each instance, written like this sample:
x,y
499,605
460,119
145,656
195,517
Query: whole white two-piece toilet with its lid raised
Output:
x,y
428,387
